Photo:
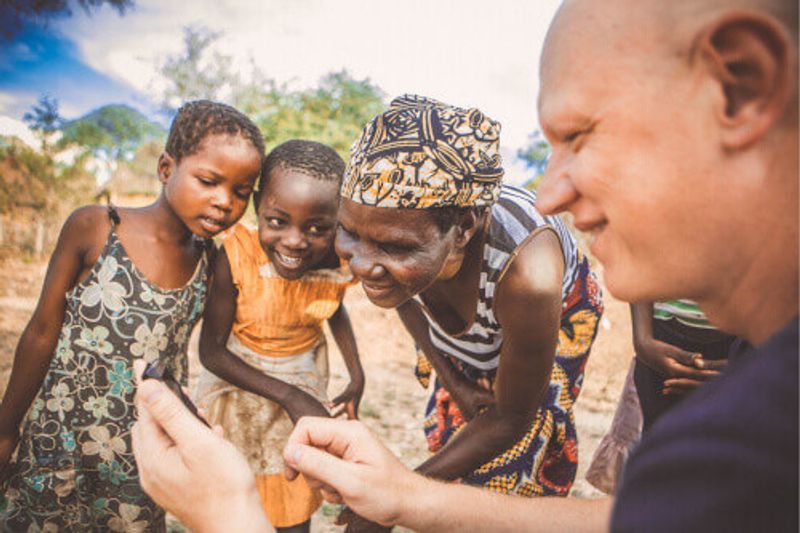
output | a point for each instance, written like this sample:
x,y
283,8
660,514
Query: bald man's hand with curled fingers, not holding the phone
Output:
x,y
348,463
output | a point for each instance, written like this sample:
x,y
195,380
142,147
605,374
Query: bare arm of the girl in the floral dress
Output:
x,y
38,341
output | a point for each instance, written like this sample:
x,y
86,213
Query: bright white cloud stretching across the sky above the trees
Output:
x,y
465,52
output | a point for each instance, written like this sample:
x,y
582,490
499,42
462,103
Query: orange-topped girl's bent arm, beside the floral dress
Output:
x,y
217,323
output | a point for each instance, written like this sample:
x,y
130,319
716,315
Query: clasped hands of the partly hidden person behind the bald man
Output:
x,y
684,371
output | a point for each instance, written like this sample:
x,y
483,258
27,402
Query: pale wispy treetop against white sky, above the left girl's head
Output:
x,y
194,74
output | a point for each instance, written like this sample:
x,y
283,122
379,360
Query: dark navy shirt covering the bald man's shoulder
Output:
x,y
727,458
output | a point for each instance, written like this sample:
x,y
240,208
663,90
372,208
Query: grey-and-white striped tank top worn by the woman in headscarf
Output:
x,y
514,221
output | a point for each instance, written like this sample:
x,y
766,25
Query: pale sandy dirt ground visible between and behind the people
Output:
x,y
393,400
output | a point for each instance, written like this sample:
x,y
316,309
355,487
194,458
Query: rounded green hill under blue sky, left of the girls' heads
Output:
x,y
115,128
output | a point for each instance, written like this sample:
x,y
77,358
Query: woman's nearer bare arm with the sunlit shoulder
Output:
x,y
528,308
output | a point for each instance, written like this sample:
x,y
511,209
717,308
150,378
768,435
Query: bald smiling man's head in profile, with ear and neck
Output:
x,y
674,130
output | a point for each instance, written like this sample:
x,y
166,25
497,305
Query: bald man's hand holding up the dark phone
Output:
x,y
189,469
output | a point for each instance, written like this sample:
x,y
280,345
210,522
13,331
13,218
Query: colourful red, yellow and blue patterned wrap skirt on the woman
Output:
x,y
544,461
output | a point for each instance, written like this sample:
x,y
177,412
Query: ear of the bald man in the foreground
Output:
x,y
753,57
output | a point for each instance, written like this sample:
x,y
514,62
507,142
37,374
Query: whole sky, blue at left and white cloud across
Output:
x,y
470,53
